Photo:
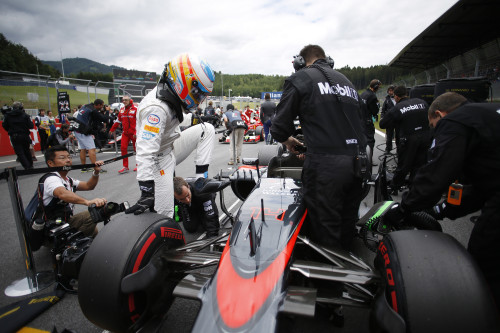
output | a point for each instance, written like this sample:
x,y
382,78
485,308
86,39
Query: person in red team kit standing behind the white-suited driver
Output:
x,y
126,117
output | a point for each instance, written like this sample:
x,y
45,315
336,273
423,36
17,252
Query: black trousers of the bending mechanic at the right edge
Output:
x,y
484,244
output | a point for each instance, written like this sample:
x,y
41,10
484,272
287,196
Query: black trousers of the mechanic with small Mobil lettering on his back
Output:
x,y
412,154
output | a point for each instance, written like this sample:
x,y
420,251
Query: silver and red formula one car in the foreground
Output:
x,y
266,268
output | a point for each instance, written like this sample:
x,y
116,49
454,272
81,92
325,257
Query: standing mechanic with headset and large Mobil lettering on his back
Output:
x,y
330,116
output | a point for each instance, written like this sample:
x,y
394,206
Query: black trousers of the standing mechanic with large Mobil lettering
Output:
x,y
332,194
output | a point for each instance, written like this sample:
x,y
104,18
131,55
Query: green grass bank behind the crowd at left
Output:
x,y
8,94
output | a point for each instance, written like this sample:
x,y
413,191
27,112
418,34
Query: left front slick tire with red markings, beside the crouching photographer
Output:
x,y
127,244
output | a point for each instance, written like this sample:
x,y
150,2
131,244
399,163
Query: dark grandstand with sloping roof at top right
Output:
x,y
464,42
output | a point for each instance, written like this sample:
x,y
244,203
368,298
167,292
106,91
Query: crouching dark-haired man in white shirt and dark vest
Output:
x,y
59,195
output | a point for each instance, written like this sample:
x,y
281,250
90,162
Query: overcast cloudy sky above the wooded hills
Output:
x,y
235,37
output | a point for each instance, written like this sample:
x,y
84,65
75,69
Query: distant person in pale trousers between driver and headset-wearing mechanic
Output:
x,y
236,125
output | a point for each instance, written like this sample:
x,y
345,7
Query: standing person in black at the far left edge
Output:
x,y
18,125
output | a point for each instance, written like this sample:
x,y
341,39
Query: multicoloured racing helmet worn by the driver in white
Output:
x,y
190,78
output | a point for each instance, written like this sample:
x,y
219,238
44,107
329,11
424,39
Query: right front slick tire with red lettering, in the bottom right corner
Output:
x,y
433,284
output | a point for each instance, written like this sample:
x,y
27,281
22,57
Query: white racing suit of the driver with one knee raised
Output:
x,y
161,145
